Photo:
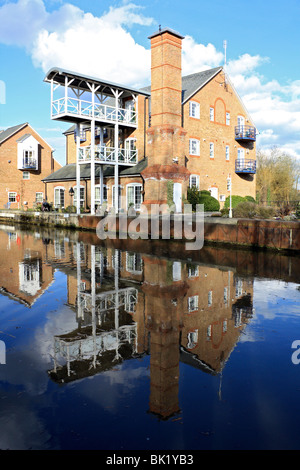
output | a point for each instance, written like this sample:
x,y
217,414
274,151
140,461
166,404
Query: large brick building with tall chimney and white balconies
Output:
x,y
181,131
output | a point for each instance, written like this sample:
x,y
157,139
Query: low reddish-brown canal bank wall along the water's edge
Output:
x,y
278,235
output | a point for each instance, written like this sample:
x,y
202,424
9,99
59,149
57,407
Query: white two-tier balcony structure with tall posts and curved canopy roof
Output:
x,y
95,103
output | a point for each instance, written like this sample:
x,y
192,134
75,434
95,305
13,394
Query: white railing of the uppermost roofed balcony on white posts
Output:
x,y
84,108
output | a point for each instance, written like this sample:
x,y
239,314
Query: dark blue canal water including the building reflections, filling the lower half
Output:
x,y
140,346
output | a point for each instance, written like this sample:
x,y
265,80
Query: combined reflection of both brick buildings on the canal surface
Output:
x,y
129,305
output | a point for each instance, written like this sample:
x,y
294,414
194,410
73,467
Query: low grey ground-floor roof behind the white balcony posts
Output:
x,y
68,172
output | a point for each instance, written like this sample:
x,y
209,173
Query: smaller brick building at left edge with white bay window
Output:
x,y
26,159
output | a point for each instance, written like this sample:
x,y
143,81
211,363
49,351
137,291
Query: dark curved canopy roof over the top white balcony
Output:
x,y
79,80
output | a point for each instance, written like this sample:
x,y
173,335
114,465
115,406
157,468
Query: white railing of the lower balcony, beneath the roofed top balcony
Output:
x,y
108,155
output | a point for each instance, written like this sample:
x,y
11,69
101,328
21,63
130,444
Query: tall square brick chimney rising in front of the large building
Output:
x,y
165,137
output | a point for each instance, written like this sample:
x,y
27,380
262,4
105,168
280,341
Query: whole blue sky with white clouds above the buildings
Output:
x,y
109,40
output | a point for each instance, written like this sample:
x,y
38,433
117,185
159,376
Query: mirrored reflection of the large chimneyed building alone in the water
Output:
x,y
128,305
